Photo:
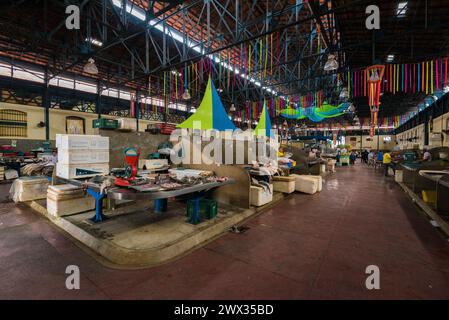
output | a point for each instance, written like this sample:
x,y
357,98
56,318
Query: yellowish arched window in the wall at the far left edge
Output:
x,y
13,123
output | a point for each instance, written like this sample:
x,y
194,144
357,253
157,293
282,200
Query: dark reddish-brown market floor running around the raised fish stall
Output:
x,y
307,247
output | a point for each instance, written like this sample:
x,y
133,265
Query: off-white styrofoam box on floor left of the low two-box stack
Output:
x,y
29,189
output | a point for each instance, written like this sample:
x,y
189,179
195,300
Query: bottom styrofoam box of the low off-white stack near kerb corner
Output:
x,y
59,208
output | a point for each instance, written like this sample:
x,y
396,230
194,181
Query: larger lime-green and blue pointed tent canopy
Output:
x,y
211,113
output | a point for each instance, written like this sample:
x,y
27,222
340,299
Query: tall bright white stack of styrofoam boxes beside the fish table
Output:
x,y
82,156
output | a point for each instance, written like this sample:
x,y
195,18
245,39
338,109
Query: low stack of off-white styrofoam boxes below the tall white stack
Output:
x,y
66,199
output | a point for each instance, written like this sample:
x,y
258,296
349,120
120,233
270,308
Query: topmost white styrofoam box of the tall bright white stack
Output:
x,y
82,142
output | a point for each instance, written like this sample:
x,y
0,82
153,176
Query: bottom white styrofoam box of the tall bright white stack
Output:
x,y
74,171
